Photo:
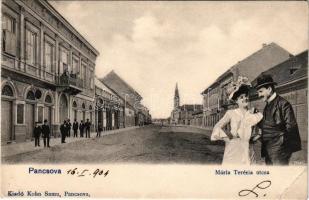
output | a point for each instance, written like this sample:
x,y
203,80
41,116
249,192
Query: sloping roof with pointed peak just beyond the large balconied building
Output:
x,y
119,86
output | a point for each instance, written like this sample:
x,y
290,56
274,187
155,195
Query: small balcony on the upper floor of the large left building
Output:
x,y
69,83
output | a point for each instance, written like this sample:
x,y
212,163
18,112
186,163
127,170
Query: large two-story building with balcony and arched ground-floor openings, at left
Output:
x,y
47,70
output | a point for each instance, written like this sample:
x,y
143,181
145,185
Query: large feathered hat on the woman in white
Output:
x,y
240,86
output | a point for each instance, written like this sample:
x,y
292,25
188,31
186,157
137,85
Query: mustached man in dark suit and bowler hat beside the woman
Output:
x,y
280,134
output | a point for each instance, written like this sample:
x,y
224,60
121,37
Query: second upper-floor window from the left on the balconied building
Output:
x,y
31,40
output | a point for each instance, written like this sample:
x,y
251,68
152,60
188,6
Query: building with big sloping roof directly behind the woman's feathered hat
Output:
x,y
215,97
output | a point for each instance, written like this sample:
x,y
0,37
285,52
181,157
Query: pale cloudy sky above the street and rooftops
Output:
x,y
152,45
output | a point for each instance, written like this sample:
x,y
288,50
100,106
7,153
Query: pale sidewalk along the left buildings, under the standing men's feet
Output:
x,y
25,147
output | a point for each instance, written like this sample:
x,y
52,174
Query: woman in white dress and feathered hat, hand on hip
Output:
x,y
241,121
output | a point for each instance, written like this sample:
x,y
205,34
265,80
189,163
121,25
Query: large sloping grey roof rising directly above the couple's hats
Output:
x,y
263,59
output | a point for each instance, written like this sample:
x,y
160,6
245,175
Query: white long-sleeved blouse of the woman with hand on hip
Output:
x,y
241,124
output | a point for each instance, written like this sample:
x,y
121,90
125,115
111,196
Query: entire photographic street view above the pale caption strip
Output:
x,y
153,85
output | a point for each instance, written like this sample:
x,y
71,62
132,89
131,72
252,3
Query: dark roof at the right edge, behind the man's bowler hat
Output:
x,y
281,73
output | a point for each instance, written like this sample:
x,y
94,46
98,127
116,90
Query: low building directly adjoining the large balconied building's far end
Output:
x,y
109,107
